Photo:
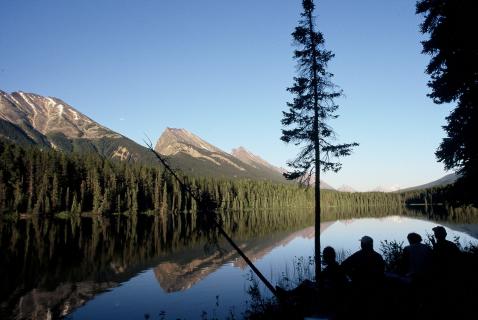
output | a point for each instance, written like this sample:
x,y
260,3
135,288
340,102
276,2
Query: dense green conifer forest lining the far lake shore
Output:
x,y
47,182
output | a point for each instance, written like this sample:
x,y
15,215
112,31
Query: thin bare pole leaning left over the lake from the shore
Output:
x,y
214,221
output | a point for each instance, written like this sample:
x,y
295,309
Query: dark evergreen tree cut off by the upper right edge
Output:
x,y
453,69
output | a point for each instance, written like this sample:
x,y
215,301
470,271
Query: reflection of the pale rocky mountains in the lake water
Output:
x,y
182,270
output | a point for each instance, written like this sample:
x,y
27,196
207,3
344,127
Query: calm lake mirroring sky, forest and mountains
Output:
x,y
162,267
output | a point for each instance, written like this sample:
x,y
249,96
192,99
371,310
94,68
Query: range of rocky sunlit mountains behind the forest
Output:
x,y
49,122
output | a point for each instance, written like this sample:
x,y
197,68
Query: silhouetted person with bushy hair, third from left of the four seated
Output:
x,y
417,259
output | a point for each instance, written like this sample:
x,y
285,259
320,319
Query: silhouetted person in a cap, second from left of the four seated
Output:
x,y
365,267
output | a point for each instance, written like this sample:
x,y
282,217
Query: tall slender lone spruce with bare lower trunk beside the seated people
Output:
x,y
305,122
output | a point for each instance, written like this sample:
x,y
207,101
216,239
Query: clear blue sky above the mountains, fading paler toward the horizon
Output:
x,y
221,68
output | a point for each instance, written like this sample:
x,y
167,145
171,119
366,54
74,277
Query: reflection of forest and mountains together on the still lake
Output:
x,y
52,266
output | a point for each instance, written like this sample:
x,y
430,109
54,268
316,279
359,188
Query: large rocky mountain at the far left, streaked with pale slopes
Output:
x,y
32,119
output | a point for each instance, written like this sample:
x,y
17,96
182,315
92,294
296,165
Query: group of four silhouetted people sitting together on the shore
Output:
x,y
362,281
